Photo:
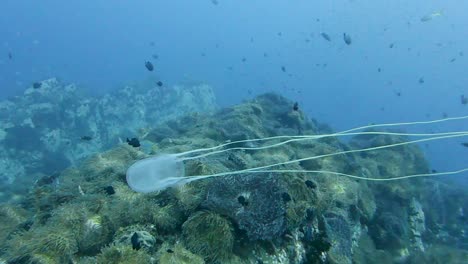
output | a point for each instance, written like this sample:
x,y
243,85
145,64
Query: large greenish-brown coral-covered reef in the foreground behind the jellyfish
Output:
x,y
88,214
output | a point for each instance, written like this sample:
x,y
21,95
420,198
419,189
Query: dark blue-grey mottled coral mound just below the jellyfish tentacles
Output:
x,y
253,201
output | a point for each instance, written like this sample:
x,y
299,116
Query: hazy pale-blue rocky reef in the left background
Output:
x,y
56,125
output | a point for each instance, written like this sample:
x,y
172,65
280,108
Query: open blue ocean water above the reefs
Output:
x,y
247,48
